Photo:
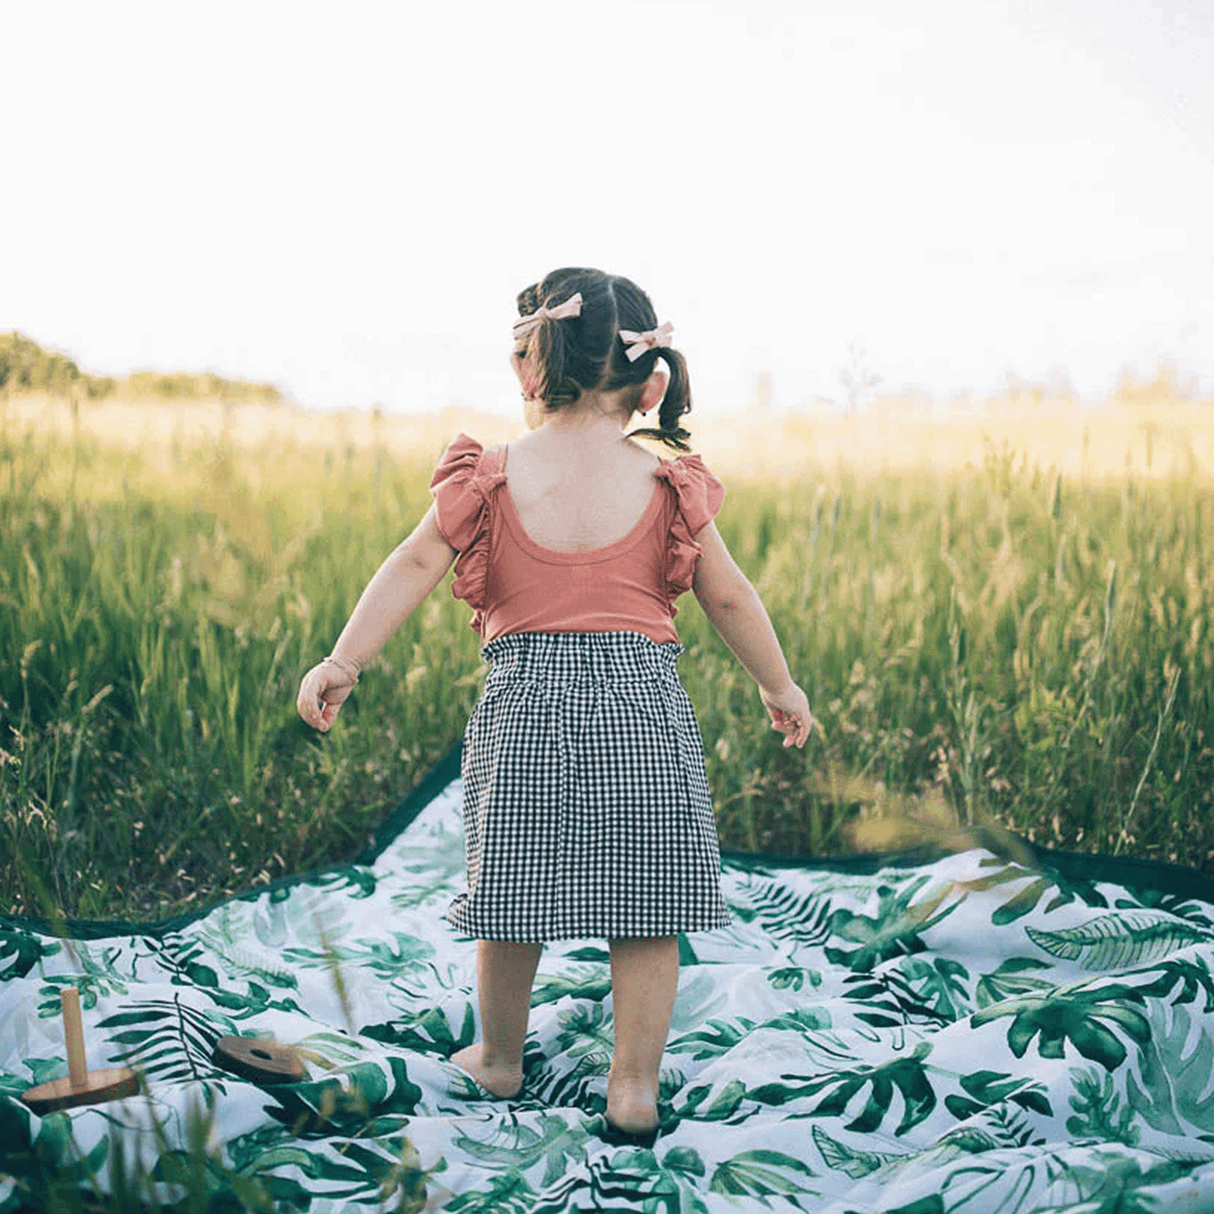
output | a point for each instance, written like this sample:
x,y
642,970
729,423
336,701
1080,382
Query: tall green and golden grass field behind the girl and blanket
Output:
x,y
1002,617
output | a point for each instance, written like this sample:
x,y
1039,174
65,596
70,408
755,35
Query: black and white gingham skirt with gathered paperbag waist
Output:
x,y
587,813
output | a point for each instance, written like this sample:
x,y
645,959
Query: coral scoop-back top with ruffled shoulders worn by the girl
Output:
x,y
515,586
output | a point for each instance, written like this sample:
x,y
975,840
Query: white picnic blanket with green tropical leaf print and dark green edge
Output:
x,y
900,1034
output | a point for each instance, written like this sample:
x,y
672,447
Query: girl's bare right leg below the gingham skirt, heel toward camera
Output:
x,y
644,980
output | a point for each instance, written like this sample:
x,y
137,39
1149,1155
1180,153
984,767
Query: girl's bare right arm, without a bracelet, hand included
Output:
x,y
735,610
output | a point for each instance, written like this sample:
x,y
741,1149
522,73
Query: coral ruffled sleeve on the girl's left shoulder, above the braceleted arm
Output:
x,y
462,487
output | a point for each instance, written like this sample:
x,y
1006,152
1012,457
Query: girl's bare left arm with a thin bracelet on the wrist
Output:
x,y
411,572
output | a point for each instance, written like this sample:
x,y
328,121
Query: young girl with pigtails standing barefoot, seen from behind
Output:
x,y
587,813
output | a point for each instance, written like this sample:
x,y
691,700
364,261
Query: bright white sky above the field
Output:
x,y
344,200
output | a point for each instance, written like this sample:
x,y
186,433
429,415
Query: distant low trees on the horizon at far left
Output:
x,y
26,367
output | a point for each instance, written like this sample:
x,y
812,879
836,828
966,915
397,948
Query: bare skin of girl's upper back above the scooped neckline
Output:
x,y
576,492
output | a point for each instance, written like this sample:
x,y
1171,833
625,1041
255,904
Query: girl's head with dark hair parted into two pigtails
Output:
x,y
560,360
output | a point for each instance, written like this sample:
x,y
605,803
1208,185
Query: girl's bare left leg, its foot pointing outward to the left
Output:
x,y
504,977
